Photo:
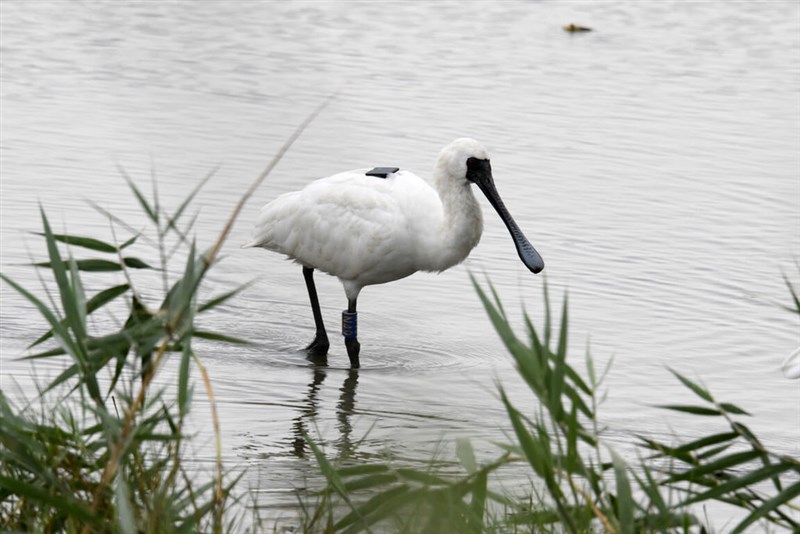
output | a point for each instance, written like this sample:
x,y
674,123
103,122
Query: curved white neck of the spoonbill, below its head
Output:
x,y
461,224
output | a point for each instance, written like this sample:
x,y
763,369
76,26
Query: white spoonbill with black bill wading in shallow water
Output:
x,y
374,226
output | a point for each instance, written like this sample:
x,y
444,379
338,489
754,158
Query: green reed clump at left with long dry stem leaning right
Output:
x,y
101,447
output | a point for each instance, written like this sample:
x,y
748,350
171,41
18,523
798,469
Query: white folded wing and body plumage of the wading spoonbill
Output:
x,y
348,216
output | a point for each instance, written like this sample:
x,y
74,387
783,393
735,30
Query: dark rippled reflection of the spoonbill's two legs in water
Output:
x,y
309,409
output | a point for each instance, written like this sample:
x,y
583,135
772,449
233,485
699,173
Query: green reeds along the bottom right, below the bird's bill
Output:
x,y
579,482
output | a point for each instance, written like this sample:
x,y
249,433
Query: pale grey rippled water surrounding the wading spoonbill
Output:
x,y
654,162
